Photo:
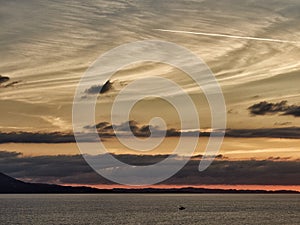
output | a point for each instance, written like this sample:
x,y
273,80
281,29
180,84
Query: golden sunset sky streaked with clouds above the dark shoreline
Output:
x,y
251,46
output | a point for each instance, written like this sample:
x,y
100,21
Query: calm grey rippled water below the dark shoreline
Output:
x,y
150,209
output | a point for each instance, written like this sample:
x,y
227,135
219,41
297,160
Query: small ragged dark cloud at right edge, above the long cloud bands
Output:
x,y
265,108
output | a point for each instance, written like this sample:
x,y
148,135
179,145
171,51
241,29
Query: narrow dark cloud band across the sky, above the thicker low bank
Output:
x,y
105,130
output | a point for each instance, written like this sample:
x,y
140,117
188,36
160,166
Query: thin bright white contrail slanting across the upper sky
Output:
x,y
227,36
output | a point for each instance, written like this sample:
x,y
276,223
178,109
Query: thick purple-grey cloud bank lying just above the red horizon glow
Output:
x,y
73,169
